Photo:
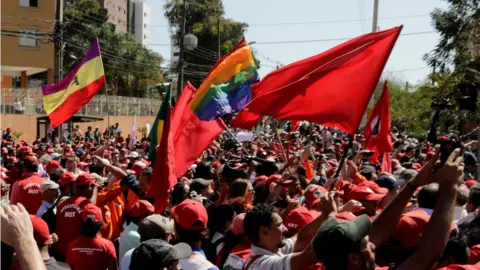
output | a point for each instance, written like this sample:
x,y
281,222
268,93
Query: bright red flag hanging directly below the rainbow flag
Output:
x,y
191,135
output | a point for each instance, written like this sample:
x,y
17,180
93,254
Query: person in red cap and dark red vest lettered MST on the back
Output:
x,y
69,212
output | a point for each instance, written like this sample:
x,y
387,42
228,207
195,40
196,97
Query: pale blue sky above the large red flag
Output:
x,y
405,61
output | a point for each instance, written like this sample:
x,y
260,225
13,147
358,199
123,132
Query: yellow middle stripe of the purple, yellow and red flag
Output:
x,y
89,72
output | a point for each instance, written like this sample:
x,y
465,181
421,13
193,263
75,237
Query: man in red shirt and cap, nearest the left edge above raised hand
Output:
x,y
27,190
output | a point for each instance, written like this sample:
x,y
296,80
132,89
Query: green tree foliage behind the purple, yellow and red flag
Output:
x,y
130,68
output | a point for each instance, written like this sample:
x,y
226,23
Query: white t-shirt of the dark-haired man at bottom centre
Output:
x,y
269,260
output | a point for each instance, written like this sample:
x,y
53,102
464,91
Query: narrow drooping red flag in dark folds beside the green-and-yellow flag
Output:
x,y
163,175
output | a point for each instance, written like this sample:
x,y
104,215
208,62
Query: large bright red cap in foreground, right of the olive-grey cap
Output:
x,y
190,215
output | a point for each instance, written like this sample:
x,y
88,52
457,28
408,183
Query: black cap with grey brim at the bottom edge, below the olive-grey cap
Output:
x,y
158,254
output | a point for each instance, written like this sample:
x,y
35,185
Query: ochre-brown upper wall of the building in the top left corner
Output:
x,y
39,19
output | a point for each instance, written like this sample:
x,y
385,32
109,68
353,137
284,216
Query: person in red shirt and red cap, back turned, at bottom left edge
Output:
x,y
90,251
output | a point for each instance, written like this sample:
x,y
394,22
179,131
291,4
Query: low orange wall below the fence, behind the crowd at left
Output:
x,y
28,124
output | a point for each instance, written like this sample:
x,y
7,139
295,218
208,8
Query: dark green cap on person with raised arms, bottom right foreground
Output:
x,y
335,240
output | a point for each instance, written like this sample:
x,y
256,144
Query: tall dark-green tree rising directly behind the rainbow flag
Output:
x,y
202,20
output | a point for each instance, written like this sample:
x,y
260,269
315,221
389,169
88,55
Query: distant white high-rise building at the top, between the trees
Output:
x,y
139,21
